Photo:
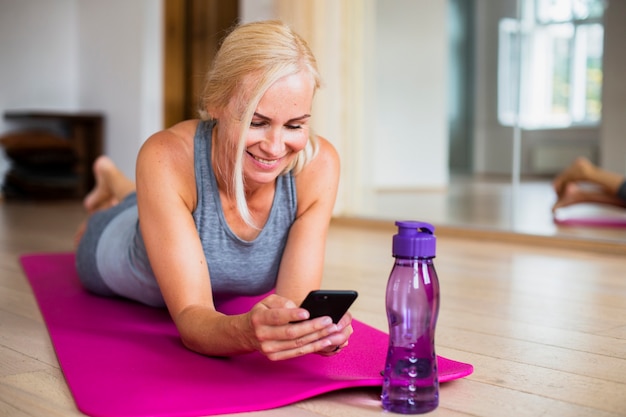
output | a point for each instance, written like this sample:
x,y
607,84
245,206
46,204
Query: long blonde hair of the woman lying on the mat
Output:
x,y
252,58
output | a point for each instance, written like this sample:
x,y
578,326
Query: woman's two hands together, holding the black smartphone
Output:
x,y
280,330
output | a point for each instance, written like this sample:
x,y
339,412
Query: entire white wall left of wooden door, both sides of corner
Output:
x,y
85,55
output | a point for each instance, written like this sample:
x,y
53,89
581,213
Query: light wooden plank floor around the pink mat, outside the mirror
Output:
x,y
544,325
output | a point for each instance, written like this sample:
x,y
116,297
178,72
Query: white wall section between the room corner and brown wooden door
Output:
x,y
120,66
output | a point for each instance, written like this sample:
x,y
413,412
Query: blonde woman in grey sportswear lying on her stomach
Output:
x,y
238,203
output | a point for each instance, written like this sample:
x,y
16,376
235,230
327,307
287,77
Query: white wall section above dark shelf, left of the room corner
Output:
x,y
38,51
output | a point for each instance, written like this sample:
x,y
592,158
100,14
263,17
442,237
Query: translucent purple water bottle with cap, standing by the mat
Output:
x,y
411,379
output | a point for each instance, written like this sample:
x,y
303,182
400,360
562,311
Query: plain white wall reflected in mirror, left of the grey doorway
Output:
x,y
411,125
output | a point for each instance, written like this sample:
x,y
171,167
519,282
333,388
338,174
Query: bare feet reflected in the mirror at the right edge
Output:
x,y
610,188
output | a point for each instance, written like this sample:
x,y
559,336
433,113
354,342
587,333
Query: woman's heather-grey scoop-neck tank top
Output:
x,y
237,266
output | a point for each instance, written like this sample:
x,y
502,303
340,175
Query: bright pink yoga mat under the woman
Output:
x,y
121,358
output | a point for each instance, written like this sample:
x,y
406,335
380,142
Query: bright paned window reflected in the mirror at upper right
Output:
x,y
552,57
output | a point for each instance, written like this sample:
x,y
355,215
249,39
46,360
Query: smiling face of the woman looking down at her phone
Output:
x,y
279,128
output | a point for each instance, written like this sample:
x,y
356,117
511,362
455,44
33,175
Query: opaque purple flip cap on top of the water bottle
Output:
x,y
414,240
